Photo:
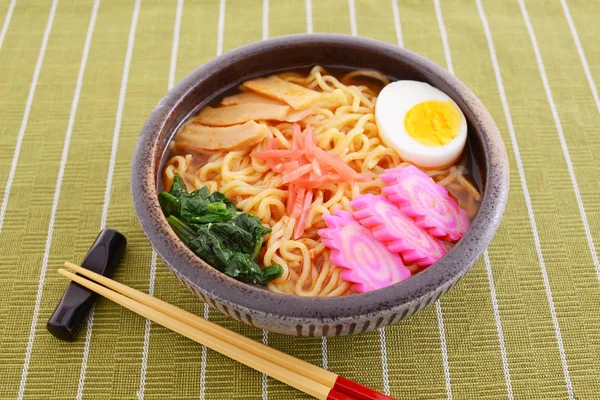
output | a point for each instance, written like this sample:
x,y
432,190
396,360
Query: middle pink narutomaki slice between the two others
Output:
x,y
400,233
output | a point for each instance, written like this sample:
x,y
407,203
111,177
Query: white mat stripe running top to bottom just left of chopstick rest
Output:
x,y
59,178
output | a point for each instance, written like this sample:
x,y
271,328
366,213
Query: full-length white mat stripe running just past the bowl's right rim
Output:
x,y
536,238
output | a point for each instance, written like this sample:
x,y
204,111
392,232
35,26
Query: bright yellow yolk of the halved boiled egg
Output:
x,y
433,122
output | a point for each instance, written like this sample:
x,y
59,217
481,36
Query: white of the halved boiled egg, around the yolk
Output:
x,y
393,103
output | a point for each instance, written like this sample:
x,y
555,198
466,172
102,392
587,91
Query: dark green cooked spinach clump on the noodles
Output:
x,y
216,231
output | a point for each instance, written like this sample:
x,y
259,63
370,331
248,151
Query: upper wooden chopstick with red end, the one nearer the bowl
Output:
x,y
324,377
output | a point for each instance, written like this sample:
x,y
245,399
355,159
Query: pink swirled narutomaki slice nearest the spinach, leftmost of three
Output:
x,y
366,261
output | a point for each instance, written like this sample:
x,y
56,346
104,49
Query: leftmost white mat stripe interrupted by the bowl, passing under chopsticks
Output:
x,y
170,83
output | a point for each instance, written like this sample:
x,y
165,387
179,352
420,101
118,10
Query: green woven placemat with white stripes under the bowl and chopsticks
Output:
x,y
78,79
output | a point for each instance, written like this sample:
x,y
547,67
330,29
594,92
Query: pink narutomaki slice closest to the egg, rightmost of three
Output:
x,y
419,197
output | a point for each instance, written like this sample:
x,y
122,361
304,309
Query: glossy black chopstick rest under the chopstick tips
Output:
x,y
76,303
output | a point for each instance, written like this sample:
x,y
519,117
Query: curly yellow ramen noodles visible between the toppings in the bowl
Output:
x,y
343,124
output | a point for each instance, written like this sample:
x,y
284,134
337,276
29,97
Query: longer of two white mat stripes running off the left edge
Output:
x,y
28,104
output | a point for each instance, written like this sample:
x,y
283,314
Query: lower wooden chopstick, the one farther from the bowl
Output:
x,y
273,370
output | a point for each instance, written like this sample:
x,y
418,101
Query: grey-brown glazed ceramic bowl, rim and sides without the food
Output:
x,y
296,315
